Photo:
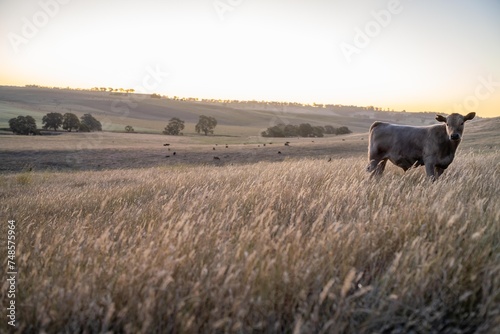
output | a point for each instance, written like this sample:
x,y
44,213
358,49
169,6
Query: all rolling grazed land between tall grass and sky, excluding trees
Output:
x,y
239,125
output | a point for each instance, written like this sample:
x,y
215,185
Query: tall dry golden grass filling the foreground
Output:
x,y
296,246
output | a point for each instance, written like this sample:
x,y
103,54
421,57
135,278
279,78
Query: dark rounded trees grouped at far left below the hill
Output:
x,y
26,125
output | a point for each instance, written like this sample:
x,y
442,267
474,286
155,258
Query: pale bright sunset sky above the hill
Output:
x,y
426,55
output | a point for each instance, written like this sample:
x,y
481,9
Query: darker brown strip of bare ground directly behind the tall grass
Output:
x,y
175,154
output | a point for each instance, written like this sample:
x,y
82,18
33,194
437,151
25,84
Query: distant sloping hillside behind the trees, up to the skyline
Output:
x,y
150,115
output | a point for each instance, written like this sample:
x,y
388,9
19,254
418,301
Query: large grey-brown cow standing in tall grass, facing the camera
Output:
x,y
406,146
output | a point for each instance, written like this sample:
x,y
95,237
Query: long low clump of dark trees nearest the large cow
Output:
x,y
303,130
